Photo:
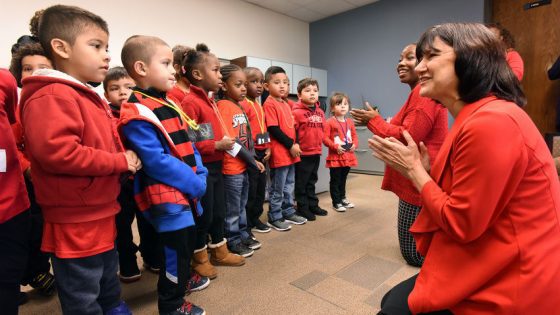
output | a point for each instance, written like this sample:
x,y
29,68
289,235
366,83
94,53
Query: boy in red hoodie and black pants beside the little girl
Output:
x,y
309,118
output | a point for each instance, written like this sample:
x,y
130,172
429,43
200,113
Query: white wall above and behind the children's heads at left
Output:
x,y
230,28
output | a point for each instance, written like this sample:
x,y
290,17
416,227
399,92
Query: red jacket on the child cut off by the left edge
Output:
x,y
13,195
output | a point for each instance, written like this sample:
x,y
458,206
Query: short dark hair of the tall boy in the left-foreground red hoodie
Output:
x,y
66,23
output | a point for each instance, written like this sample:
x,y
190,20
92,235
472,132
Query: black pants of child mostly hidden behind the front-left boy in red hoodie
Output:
x,y
38,261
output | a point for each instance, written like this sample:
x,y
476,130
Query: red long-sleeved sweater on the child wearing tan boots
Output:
x,y
198,106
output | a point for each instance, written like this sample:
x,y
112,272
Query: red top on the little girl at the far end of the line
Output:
x,y
336,134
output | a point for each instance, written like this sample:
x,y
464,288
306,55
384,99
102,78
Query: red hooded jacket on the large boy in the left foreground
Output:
x,y
71,140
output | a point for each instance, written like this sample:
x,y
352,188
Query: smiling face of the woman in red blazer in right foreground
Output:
x,y
436,73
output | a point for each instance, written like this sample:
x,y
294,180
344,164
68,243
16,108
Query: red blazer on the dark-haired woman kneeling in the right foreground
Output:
x,y
489,227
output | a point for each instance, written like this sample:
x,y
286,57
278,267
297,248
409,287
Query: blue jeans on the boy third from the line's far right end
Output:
x,y
281,203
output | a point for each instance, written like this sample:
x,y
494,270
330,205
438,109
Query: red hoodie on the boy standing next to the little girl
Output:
x,y
309,127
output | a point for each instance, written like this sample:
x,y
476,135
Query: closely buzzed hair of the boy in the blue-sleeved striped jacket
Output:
x,y
139,48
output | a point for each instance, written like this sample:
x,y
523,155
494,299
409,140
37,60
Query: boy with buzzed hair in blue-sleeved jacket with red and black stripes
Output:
x,y
172,179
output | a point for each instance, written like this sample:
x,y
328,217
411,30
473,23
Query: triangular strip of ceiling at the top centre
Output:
x,y
310,10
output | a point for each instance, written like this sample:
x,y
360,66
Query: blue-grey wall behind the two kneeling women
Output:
x,y
360,48
